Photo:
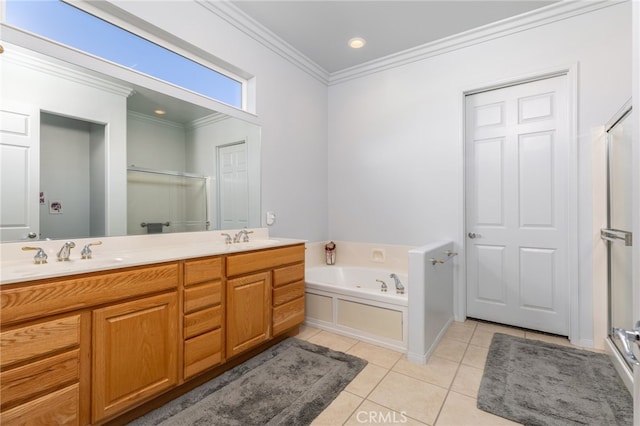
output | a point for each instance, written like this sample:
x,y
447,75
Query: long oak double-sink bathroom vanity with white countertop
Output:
x,y
87,346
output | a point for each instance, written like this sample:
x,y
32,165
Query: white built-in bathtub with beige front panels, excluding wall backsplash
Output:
x,y
348,300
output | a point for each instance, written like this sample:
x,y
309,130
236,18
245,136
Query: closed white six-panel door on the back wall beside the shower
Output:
x,y
517,150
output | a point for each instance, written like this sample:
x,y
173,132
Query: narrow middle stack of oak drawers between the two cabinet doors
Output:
x,y
203,315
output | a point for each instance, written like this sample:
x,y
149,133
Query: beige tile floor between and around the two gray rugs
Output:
x,y
391,390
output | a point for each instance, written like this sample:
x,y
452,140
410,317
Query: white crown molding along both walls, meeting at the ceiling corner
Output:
x,y
536,18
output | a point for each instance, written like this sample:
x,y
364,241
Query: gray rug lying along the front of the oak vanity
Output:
x,y
288,384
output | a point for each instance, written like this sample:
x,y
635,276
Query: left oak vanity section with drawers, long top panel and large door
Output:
x,y
78,349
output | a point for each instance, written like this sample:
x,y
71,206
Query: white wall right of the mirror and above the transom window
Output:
x,y
291,109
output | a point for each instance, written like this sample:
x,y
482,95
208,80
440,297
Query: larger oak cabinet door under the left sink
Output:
x,y
135,352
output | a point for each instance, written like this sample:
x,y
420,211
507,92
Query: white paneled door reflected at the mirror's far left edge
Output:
x,y
19,171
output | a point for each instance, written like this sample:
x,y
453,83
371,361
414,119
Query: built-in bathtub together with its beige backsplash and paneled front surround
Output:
x,y
345,298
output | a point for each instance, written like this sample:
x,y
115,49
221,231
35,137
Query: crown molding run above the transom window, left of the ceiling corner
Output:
x,y
255,30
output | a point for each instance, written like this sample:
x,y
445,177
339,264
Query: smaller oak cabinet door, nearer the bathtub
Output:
x,y
248,312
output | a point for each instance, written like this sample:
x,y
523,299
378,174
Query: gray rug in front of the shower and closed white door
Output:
x,y
538,383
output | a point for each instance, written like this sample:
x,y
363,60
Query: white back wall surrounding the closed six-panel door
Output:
x,y
395,140
